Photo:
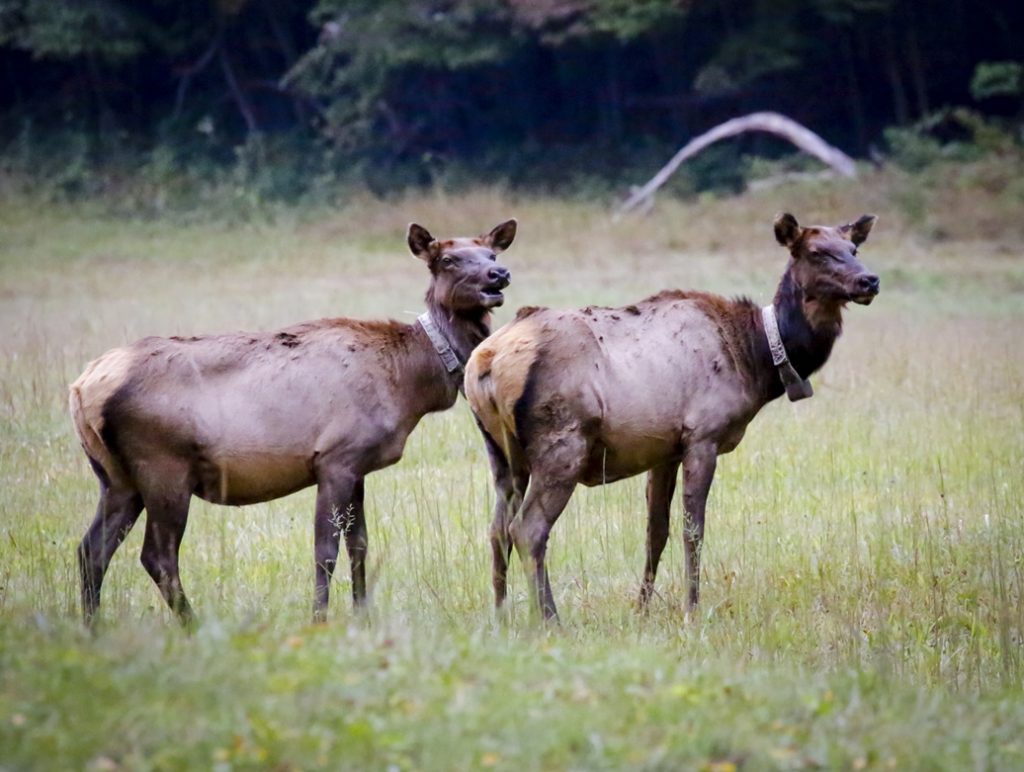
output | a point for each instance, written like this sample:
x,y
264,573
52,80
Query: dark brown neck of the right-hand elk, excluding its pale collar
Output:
x,y
808,341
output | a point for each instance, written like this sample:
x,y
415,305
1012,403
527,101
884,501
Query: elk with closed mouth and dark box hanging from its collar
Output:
x,y
600,395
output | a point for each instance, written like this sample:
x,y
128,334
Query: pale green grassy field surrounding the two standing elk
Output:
x,y
865,557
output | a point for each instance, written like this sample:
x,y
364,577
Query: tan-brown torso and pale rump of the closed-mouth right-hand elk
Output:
x,y
712,397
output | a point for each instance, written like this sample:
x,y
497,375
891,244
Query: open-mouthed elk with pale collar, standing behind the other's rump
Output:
x,y
249,417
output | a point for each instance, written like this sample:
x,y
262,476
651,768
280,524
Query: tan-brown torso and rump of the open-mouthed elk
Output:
x,y
249,417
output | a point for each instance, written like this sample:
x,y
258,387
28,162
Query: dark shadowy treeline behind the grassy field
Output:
x,y
287,100
